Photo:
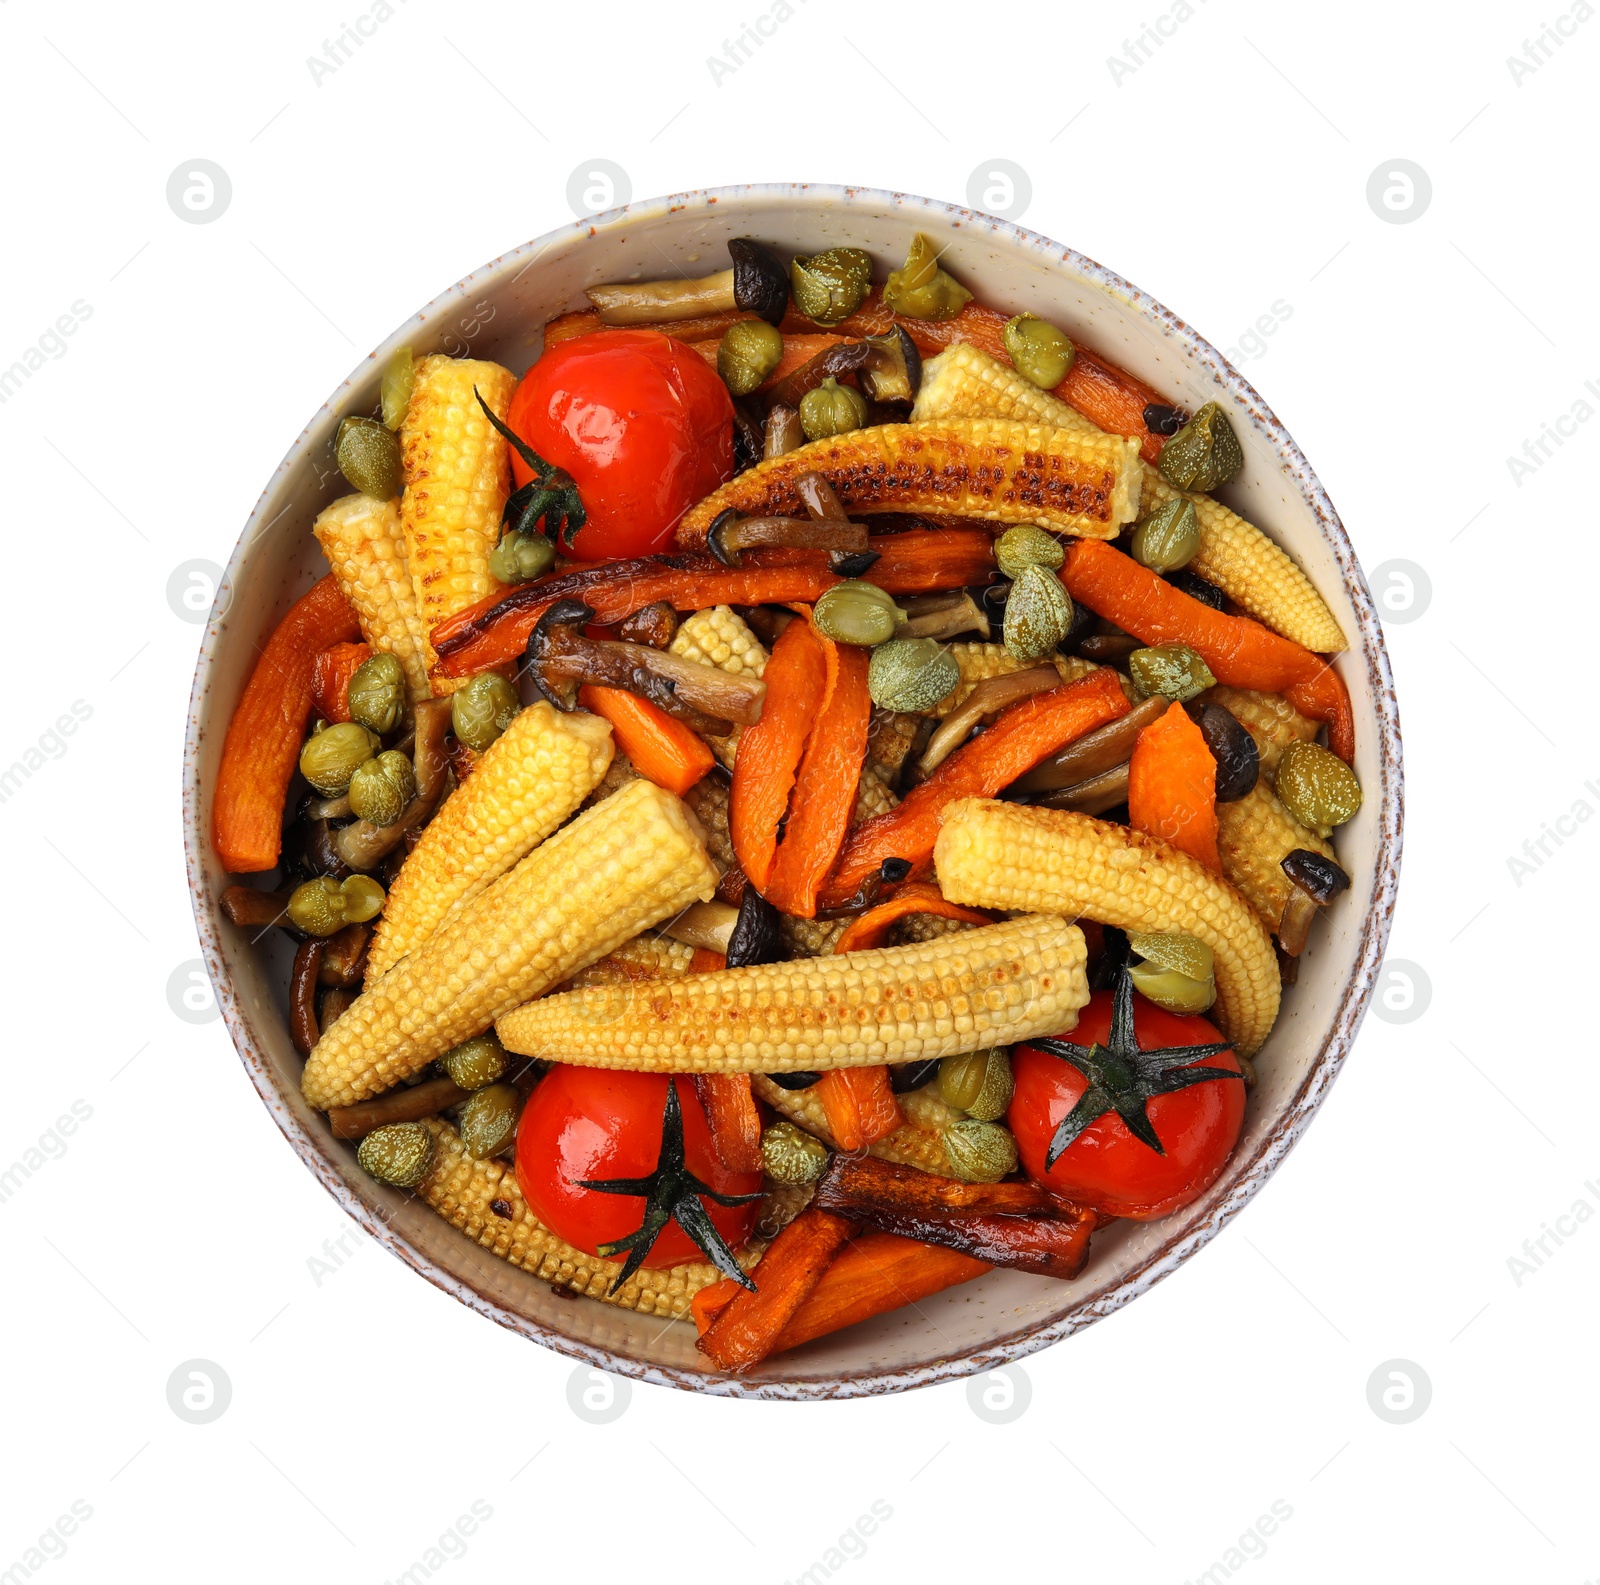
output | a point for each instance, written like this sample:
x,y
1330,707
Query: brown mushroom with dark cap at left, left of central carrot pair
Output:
x,y
705,698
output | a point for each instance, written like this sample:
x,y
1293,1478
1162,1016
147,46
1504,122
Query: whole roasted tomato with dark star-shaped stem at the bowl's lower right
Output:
x,y
1108,1165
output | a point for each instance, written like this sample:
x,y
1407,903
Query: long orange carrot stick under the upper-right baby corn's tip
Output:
x,y
1241,653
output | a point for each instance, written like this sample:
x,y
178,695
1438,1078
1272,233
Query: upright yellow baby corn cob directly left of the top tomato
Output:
x,y
457,481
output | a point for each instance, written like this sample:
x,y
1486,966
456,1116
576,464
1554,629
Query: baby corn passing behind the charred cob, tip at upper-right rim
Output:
x,y
1238,557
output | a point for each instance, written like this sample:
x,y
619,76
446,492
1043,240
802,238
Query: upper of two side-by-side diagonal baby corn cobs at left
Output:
x,y
527,785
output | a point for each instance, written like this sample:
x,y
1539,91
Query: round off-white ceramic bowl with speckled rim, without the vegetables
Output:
x,y
498,313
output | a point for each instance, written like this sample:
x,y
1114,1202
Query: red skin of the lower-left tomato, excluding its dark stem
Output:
x,y
596,1124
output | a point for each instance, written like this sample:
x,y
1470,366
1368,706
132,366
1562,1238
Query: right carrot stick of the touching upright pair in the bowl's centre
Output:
x,y
825,791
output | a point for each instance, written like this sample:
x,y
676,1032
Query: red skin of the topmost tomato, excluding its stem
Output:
x,y
641,421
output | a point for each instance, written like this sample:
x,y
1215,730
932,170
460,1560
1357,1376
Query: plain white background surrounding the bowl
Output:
x,y
1225,175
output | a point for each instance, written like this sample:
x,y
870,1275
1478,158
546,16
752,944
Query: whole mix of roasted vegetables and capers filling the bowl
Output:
x,y
798,800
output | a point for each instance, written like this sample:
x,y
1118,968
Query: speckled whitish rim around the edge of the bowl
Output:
x,y
1249,1176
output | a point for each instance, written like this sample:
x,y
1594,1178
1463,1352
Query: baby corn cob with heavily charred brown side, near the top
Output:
x,y
1009,473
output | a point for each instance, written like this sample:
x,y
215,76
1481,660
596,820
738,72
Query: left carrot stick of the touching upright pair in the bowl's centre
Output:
x,y
772,749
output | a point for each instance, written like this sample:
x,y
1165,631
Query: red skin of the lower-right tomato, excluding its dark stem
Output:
x,y
1106,1167
